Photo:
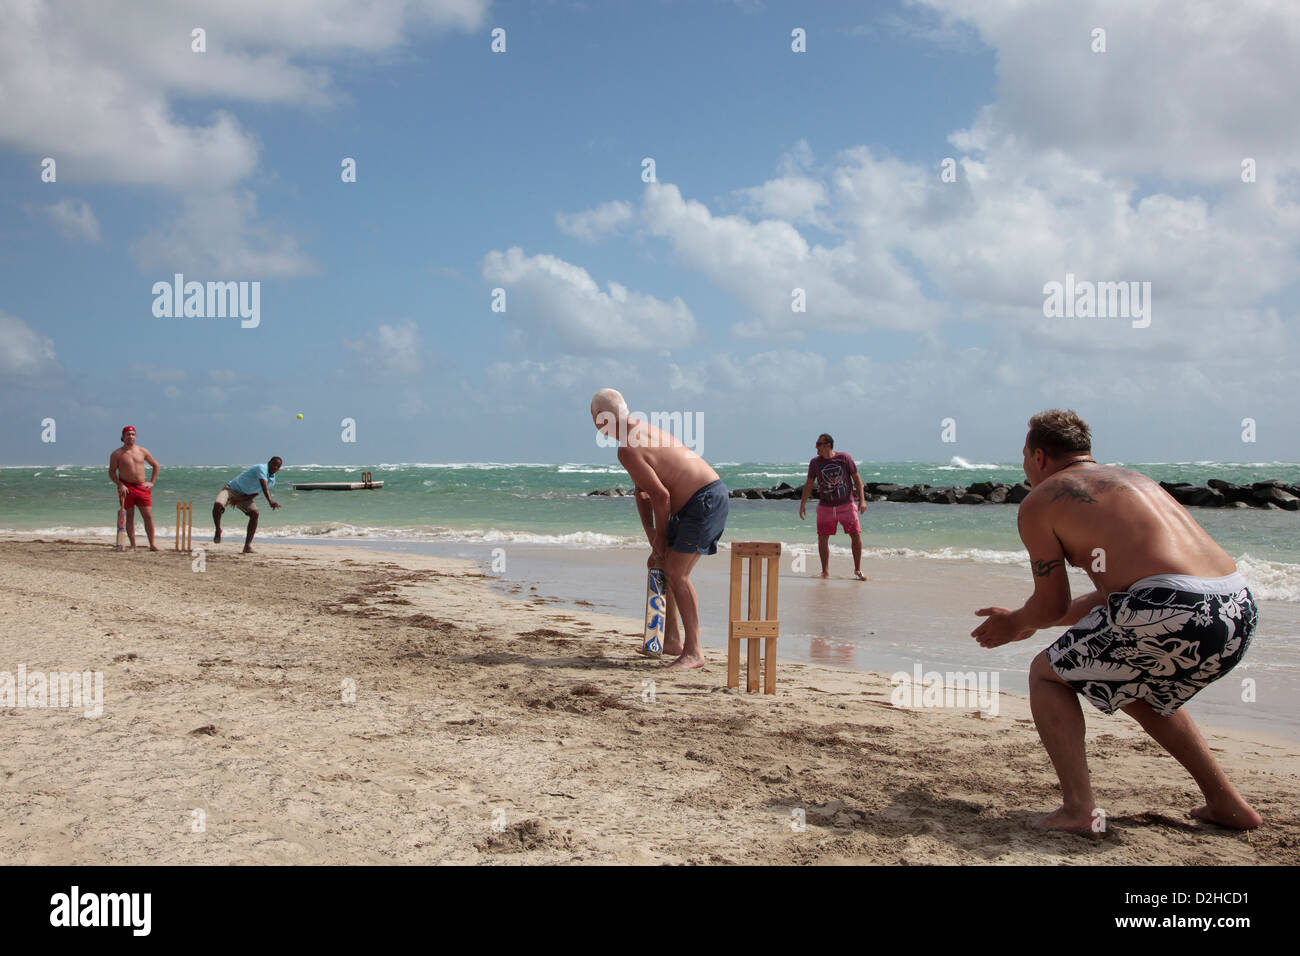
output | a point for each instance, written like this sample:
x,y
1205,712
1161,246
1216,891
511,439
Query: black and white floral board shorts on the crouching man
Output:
x,y
1163,641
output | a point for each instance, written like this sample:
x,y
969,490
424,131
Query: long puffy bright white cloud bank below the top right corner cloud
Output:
x,y
915,252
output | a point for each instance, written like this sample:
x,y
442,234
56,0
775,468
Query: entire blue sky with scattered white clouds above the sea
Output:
x,y
852,223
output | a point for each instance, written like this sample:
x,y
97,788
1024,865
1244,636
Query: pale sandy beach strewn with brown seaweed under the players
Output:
x,y
508,729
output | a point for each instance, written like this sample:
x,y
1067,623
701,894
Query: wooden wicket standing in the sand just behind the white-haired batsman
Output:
x,y
760,624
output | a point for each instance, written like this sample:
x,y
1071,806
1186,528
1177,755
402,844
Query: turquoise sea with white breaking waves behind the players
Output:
x,y
483,503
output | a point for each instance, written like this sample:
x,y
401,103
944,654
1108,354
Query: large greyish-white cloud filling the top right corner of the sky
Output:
x,y
1185,90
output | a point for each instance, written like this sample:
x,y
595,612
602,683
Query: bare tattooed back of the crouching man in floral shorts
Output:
x,y
1138,527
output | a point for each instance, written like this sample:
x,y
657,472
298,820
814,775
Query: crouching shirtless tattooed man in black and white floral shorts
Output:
x,y
1169,616
